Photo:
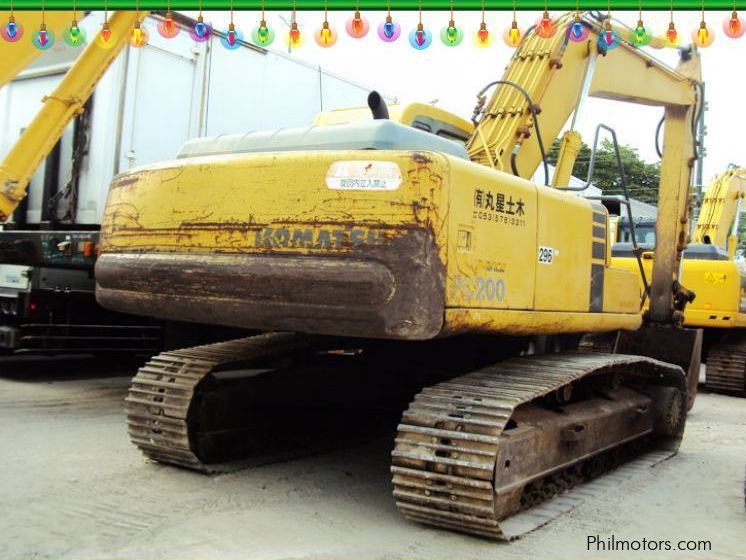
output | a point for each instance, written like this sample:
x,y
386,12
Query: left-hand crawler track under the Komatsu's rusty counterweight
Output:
x,y
159,399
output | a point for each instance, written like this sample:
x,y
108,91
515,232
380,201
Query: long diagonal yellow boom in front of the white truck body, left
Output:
x,y
58,110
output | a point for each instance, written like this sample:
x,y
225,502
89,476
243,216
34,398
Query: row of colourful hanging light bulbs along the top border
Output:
x,y
357,27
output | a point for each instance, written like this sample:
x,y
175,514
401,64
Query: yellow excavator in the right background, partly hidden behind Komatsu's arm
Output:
x,y
710,271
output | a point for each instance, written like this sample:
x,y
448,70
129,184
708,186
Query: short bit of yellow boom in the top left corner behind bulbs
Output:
x,y
17,55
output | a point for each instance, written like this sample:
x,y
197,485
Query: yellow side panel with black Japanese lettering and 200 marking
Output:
x,y
492,239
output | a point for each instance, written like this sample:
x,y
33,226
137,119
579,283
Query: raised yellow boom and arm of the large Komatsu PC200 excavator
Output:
x,y
545,84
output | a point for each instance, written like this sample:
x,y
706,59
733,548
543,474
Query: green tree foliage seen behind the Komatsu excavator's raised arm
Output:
x,y
642,177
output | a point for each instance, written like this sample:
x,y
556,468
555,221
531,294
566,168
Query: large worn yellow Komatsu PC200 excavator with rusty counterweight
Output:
x,y
382,249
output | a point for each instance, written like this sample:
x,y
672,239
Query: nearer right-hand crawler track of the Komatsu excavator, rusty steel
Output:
x,y
463,460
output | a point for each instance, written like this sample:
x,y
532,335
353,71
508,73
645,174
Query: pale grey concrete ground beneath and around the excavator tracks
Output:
x,y
74,487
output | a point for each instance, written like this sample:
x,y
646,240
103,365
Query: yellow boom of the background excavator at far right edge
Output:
x,y
718,215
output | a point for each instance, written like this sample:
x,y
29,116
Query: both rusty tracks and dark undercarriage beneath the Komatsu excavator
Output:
x,y
465,454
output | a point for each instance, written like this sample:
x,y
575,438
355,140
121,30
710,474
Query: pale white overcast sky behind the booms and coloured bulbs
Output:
x,y
453,75
